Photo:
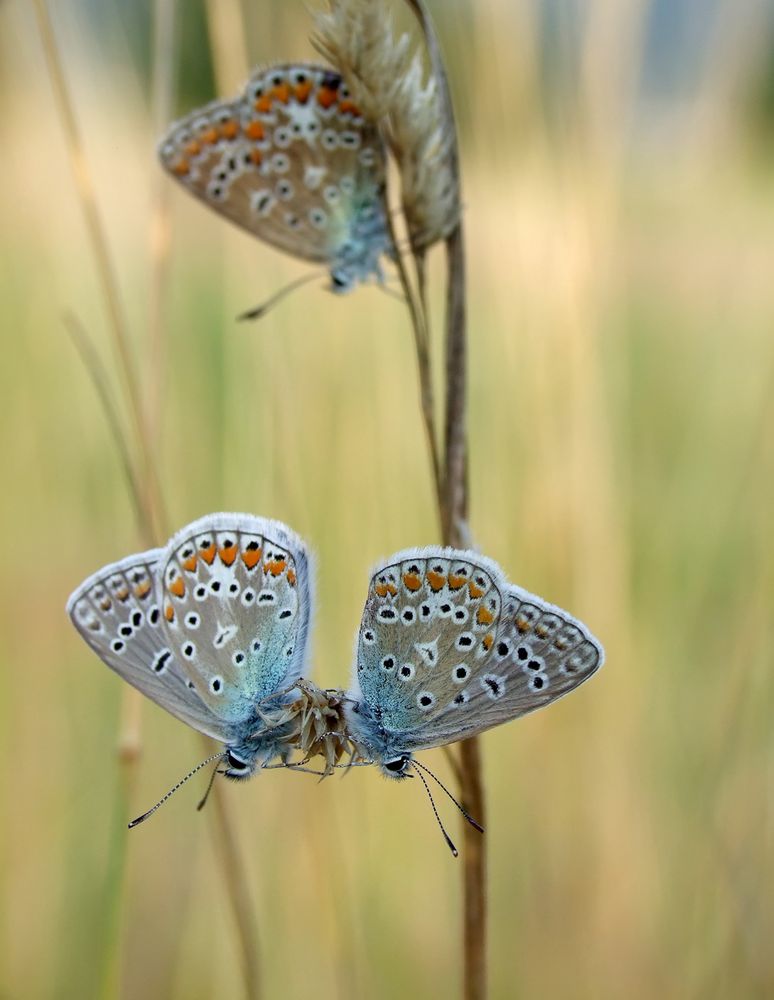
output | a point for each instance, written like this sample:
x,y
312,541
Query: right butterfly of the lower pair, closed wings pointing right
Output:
x,y
448,648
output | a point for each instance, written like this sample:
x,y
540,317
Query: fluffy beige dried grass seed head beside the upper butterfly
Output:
x,y
390,86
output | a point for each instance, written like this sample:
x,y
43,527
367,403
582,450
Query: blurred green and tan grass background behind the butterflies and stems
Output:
x,y
620,222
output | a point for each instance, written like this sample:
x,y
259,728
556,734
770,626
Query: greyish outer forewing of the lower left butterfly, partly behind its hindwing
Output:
x,y
118,613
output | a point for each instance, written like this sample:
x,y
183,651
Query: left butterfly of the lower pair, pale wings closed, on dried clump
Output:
x,y
213,628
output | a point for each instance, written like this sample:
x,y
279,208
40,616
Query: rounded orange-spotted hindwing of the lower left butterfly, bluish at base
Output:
x,y
236,609
